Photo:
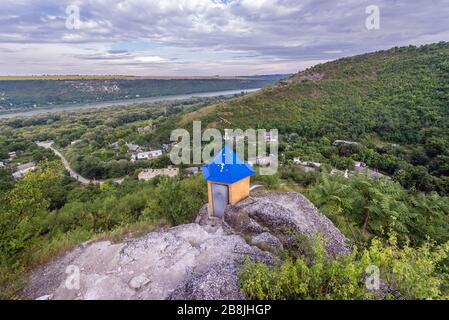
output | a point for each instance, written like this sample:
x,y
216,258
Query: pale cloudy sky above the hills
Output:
x,y
205,37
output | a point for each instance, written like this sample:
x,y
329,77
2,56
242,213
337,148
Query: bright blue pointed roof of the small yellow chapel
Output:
x,y
226,167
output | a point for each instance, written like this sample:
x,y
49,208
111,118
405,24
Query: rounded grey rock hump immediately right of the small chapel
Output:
x,y
284,216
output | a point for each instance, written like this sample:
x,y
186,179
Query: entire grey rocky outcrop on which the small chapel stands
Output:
x,y
198,261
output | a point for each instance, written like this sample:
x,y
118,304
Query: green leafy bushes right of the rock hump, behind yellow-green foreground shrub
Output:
x,y
362,207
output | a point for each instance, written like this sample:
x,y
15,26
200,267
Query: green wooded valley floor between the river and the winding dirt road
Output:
x,y
94,131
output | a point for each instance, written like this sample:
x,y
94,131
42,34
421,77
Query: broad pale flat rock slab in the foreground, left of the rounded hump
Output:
x,y
186,262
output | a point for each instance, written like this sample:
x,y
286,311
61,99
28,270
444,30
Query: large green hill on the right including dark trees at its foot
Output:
x,y
398,96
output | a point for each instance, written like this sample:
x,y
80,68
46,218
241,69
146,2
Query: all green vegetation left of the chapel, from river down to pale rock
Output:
x,y
48,212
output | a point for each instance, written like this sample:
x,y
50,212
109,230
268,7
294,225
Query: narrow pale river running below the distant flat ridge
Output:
x,y
106,104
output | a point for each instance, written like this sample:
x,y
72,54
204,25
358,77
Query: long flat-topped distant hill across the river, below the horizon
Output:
x,y
24,93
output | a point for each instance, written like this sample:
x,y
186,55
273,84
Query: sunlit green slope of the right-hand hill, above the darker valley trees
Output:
x,y
395,94
